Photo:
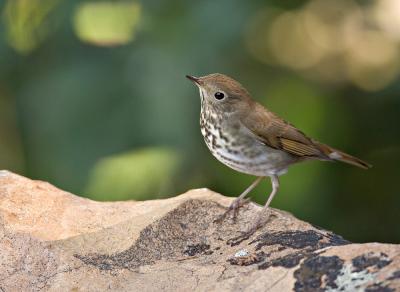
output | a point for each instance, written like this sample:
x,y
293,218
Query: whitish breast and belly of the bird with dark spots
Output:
x,y
231,144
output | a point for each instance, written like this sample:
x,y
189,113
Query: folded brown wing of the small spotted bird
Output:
x,y
279,134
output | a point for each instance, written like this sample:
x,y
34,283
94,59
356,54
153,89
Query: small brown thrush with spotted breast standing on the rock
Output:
x,y
247,137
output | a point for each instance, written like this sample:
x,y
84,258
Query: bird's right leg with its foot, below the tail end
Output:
x,y
259,220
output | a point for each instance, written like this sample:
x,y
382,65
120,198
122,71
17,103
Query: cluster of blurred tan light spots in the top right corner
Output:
x,y
336,42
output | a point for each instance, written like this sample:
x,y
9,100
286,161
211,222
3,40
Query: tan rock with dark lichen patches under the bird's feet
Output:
x,y
52,240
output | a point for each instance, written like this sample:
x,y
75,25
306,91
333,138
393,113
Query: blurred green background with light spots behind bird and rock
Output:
x,y
93,98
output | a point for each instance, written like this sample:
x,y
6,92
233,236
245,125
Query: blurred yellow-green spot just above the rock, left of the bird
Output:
x,y
139,174
